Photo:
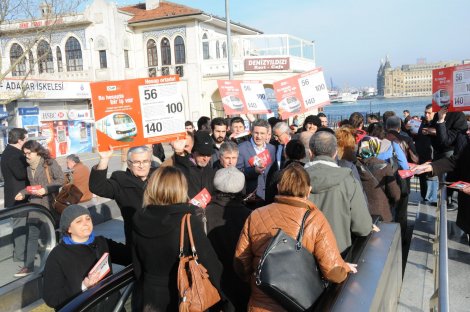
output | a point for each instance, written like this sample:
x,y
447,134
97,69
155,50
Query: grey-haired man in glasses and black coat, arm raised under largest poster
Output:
x,y
126,187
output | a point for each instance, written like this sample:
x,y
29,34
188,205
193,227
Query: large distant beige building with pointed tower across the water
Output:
x,y
407,80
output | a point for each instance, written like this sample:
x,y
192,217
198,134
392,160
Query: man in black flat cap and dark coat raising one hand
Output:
x,y
196,166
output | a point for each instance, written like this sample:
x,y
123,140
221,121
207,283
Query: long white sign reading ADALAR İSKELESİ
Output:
x,y
44,89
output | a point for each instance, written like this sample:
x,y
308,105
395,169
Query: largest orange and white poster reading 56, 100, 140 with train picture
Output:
x,y
138,111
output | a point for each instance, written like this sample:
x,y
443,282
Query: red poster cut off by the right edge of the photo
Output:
x,y
451,88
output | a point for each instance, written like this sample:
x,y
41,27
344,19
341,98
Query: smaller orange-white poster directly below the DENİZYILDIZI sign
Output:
x,y
243,96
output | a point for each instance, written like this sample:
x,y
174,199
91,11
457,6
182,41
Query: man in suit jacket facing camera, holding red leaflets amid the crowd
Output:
x,y
256,175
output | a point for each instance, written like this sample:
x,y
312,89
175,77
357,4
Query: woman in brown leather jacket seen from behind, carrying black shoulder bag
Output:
x,y
286,213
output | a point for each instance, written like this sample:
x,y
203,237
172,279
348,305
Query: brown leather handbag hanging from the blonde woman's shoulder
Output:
x,y
196,291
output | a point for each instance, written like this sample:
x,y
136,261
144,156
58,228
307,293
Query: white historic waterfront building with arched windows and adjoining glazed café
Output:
x,y
107,42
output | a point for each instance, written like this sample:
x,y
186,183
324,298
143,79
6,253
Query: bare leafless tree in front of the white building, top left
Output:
x,y
30,22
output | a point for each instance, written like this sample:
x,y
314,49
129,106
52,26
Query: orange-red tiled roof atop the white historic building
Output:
x,y
165,10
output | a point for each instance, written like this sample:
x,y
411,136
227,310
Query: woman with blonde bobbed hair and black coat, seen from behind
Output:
x,y
156,237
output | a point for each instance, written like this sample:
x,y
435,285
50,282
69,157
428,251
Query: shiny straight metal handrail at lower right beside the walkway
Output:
x,y
443,256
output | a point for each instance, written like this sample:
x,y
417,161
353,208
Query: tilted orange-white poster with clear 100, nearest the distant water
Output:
x,y
301,93
